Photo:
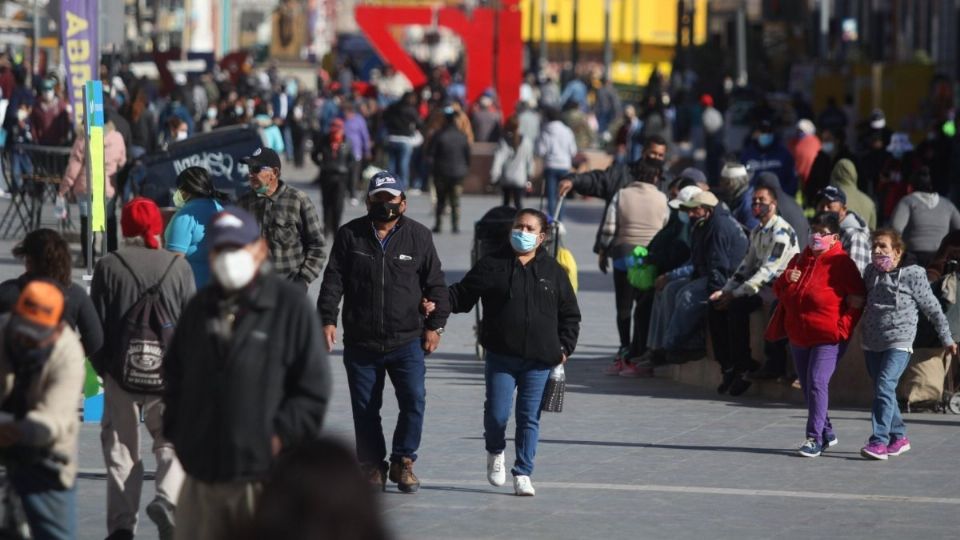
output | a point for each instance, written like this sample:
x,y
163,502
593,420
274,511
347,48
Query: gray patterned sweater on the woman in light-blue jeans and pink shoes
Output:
x,y
893,298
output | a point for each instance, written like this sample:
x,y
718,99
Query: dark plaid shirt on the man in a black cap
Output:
x,y
291,225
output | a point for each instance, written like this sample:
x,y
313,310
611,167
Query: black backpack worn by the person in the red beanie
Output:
x,y
147,331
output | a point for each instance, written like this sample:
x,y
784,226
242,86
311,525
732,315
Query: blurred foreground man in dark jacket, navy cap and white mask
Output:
x,y
246,377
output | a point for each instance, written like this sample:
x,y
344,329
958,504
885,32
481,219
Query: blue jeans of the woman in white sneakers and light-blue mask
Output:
x,y
503,375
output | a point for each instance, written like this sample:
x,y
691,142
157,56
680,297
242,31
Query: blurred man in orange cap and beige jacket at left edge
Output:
x,y
41,377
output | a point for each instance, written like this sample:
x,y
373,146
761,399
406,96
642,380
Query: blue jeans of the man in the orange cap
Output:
x,y
51,511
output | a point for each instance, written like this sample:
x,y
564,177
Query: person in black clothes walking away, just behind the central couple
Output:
x,y
448,153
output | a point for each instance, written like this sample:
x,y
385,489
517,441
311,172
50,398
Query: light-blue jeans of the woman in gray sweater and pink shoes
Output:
x,y
885,368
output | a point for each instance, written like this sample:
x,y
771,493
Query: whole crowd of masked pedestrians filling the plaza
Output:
x,y
214,344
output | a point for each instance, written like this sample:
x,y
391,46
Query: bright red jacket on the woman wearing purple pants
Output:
x,y
815,310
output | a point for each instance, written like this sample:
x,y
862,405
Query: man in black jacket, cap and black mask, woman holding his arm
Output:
x,y
381,266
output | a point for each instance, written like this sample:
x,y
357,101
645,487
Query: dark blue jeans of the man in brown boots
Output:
x,y
366,371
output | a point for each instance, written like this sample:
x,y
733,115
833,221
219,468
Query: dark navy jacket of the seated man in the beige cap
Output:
x,y
719,245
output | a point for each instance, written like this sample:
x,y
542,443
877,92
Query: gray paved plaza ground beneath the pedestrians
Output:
x,y
644,458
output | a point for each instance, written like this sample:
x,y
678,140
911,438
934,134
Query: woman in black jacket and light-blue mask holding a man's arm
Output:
x,y
530,324
